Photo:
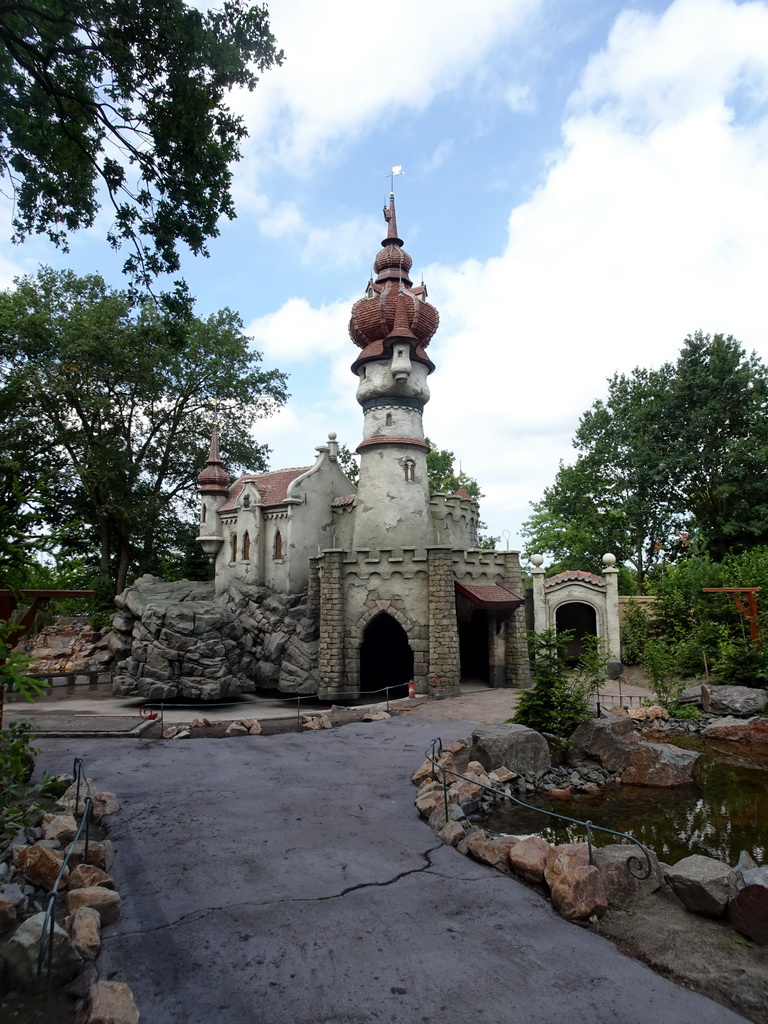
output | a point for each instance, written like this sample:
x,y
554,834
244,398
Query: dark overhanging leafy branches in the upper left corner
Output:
x,y
118,103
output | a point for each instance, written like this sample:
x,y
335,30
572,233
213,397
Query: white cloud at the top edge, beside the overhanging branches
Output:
x,y
339,77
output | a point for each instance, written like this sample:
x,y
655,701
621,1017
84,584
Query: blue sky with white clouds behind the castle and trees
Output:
x,y
586,183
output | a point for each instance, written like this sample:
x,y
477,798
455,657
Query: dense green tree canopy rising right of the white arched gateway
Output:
x,y
672,460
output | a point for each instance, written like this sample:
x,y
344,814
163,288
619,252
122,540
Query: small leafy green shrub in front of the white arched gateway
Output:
x,y
561,698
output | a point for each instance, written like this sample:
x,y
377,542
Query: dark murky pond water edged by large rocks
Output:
x,y
726,812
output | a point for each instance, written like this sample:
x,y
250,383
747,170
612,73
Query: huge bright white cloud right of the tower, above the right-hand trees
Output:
x,y
652,223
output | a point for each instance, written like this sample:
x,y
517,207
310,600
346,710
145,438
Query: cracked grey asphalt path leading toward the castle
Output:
x,y
288,880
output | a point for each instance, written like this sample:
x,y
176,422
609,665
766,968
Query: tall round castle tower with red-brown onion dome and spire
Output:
x,y
393,325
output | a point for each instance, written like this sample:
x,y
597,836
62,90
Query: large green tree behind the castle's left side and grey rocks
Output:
x,y
122,394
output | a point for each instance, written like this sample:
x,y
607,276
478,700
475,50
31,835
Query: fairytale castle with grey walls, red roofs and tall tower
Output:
x,y
392,573
